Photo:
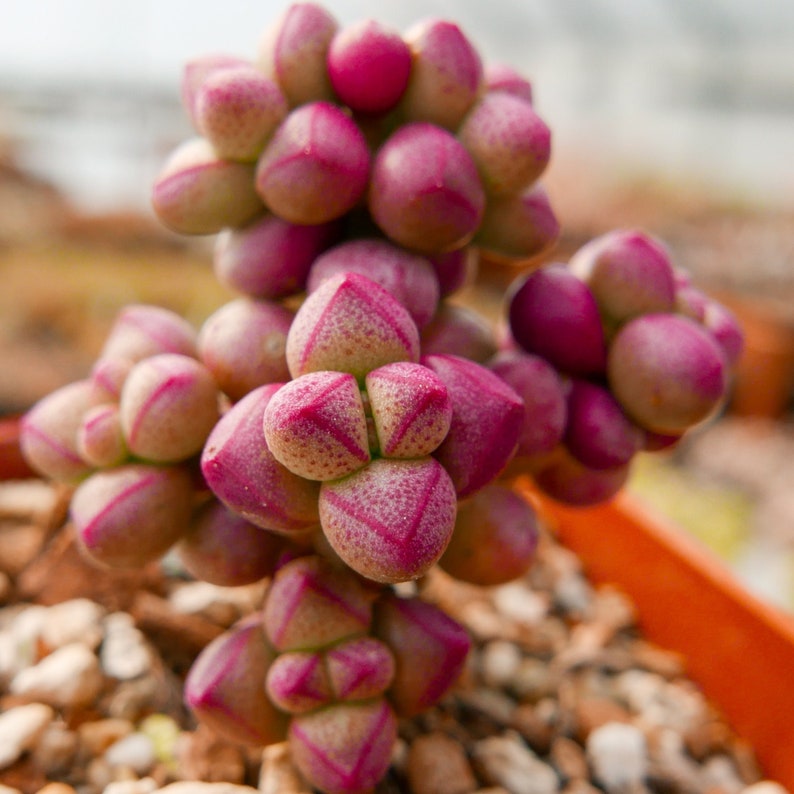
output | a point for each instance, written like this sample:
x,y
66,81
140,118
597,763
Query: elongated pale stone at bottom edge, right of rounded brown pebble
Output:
x,y
506,761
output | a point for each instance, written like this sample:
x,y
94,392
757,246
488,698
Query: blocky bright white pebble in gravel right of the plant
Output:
x,y
618,755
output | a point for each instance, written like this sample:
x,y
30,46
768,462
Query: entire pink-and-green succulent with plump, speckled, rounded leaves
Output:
x,y
344,425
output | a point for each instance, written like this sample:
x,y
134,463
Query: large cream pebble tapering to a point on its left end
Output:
x,y
69,676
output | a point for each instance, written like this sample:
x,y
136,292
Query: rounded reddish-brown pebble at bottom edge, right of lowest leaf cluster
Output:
x,y
437,764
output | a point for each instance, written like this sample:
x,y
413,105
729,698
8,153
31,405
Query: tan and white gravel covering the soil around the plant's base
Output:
x,y
562,693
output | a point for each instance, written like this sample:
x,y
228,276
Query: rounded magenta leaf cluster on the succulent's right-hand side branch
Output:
x,y
616,353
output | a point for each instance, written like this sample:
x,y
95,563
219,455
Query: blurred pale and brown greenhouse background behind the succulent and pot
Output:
x,y
676,116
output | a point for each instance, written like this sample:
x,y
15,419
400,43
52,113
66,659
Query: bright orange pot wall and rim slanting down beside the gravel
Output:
x,y
737,648
